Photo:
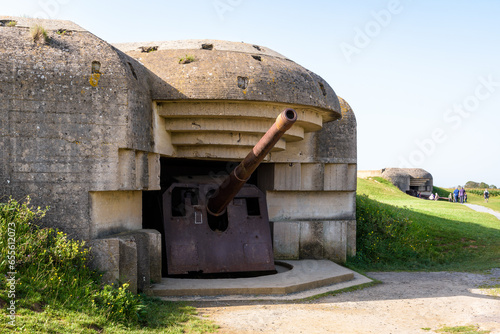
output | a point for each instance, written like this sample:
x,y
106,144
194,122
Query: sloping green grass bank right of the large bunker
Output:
x,y
399,232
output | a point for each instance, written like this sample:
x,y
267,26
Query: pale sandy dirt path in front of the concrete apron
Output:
x,y
404,303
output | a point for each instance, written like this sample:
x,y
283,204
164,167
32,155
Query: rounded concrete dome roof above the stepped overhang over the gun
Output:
x,y
221,70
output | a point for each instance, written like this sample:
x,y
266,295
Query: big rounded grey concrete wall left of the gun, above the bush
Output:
x,y
63,127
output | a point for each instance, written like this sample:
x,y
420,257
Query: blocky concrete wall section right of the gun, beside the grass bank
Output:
x,y
311,193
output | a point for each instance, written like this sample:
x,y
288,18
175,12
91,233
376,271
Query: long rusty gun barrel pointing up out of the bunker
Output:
x,y
234,182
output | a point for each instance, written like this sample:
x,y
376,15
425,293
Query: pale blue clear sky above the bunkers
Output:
x,y
423,77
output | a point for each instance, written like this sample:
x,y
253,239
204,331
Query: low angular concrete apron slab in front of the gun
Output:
x,y
306,278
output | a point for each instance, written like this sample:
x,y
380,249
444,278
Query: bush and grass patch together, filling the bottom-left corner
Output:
x,y
46,277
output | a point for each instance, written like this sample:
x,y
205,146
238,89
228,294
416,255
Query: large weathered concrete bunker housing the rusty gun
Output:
x,y
100,132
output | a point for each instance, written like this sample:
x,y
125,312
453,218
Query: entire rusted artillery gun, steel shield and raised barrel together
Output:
x,y
225,229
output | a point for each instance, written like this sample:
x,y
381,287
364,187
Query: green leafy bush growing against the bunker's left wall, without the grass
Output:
x,y
52,270
